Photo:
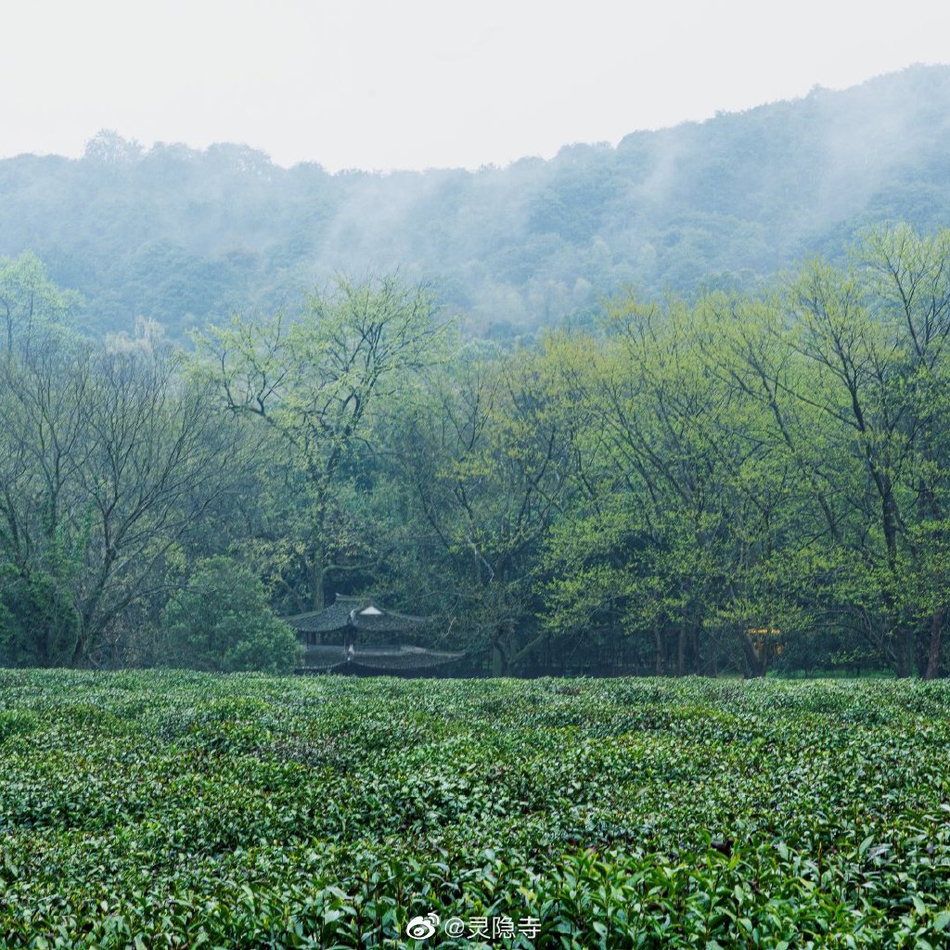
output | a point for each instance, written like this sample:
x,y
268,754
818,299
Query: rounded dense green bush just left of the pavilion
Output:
x,y
221,622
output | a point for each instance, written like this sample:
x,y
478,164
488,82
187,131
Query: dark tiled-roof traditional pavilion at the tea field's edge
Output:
x,y
356,637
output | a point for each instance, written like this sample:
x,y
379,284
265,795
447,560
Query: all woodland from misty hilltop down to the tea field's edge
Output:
x,y
675,407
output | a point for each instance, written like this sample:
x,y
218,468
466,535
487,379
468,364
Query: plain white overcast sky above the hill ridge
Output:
x,y
379,84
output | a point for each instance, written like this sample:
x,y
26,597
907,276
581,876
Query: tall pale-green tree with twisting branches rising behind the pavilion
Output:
x,y
315,383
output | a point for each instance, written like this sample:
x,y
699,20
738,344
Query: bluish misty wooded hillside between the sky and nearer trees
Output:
x,y
187,236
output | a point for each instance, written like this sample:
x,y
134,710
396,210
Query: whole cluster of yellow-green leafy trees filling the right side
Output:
x,y
767,471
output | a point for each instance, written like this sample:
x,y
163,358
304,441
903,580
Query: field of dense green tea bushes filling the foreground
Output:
x,y
159,809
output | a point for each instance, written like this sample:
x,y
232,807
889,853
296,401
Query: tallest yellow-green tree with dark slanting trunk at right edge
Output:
x,y
850,366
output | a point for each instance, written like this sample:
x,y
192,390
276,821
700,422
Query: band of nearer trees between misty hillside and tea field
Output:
x,y
734,481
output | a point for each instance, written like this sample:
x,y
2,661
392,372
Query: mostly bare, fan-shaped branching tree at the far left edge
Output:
x,y
109,461
